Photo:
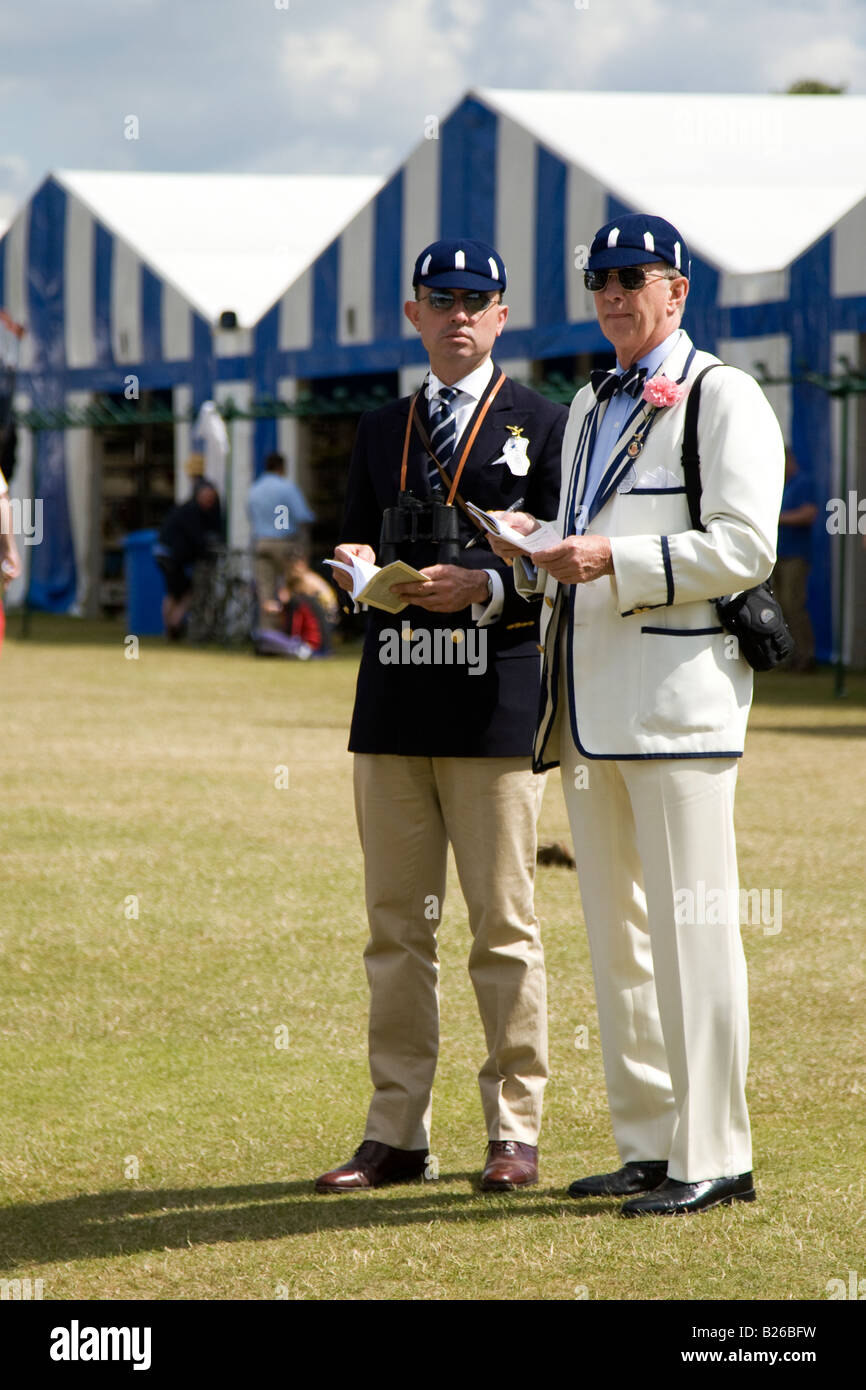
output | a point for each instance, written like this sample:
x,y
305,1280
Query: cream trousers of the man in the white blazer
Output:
x,y
671,981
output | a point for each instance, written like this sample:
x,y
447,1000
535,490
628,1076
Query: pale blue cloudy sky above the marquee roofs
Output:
x,y
338,87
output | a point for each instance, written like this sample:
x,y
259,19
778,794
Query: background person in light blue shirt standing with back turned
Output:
x,y
279,518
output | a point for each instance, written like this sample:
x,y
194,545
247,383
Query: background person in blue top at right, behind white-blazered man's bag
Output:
x,y
794,561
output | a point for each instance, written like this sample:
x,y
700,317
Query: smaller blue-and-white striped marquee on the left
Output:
x,y
120,281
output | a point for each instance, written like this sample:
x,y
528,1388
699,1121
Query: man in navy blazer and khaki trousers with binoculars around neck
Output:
x,y
443,729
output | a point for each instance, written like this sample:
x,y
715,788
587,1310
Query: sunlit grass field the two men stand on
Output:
x,y
184,1008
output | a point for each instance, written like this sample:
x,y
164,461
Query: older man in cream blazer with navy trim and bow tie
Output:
x,y
644,707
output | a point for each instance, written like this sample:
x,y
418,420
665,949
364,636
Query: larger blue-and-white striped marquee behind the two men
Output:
x,y
769,191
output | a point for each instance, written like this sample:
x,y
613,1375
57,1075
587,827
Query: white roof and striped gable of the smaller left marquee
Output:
x,y
212,241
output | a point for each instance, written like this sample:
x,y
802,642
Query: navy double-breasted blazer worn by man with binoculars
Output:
x,y
452,710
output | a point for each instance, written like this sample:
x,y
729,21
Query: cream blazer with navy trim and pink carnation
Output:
x,y
651,673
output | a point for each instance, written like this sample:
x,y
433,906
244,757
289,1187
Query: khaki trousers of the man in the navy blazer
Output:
x,y
408,812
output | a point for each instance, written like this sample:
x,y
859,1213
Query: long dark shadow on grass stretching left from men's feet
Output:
x,y
131,1223
